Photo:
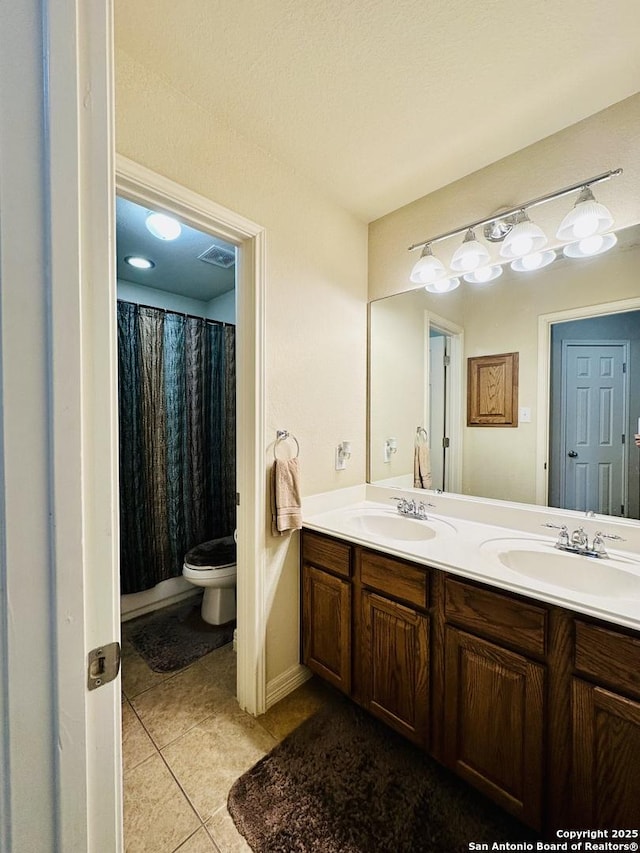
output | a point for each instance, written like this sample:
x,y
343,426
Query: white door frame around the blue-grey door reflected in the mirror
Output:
x,y
545,322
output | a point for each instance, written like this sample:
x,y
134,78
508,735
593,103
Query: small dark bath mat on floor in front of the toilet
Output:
x,y
174,637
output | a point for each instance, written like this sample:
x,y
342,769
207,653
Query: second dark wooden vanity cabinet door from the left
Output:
x,y
395,665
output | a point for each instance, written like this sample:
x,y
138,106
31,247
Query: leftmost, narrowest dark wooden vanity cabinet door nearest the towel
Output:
x,y
326,636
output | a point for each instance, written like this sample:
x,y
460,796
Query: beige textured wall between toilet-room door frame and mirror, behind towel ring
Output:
x,y
315,300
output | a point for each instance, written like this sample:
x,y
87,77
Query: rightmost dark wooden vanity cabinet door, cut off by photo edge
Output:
x,y
606,758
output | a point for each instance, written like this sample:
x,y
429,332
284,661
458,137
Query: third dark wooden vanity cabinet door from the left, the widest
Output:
x,y
494,722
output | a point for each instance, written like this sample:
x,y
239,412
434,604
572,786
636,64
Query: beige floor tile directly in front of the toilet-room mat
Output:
x,y
173,707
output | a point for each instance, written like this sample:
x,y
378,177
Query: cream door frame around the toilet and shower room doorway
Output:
x,y
147,188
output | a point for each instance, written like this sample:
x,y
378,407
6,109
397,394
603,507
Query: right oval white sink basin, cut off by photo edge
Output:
x,y
539,560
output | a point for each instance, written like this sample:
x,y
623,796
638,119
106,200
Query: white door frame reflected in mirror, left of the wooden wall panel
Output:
x,y
455,411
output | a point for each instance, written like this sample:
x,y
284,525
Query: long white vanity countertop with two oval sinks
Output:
x,y
468,548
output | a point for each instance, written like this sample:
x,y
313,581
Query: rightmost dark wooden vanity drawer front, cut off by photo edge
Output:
x,y
608,656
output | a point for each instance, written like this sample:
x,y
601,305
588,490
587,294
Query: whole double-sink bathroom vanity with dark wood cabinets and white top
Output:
x,y
533,702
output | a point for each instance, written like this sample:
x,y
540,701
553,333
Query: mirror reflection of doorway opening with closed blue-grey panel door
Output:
x,y
594,409
